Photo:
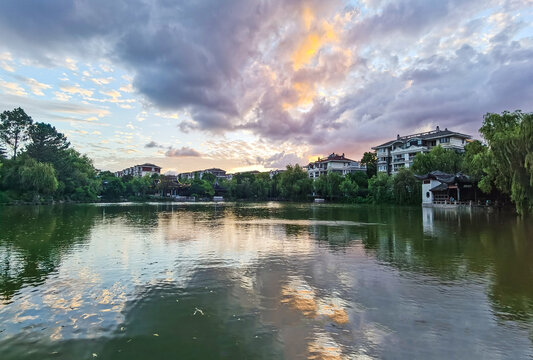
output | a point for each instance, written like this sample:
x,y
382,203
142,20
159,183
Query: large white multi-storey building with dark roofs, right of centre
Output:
x,y
399,153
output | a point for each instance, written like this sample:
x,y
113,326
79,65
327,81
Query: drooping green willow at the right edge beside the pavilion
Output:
x,y
509,162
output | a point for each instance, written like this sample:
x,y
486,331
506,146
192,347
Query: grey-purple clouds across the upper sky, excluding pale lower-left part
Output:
x,y
216,59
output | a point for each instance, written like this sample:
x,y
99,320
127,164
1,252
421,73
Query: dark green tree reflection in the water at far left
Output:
x,y
33,240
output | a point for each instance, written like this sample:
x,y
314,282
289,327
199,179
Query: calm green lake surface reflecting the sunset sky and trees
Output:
x,y
263,281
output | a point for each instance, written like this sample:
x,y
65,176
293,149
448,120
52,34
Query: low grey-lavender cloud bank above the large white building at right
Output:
x,y
453,92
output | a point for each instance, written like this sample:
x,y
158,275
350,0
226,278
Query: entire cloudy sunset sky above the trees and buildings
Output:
x,y
245,84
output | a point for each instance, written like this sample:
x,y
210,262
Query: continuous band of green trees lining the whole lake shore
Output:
x,y
38,166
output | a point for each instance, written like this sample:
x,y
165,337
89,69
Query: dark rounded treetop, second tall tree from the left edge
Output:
x,y
45,142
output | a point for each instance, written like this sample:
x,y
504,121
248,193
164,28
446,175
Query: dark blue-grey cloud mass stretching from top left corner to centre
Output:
x,y
185,55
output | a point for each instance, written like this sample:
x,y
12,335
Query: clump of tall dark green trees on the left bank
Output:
x,y
42,165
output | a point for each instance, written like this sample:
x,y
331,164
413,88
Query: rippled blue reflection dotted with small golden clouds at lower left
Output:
x,y
74,302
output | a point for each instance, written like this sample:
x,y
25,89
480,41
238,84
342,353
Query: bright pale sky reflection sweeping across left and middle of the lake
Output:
x,y
89,291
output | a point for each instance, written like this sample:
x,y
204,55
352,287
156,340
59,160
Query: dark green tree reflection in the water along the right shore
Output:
x,y
451,245
